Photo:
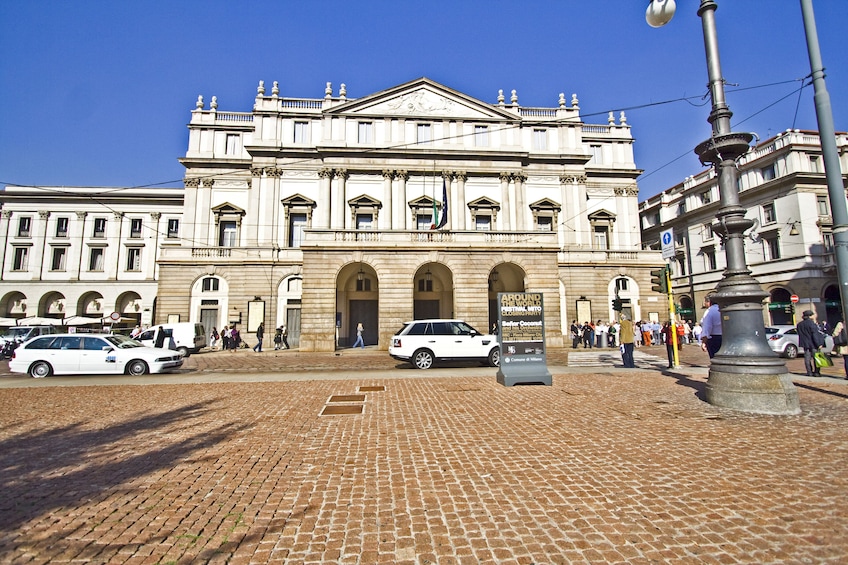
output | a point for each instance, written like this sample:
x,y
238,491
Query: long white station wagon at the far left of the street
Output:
x,y
75,354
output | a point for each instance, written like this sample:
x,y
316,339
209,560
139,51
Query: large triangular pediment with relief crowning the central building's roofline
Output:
x,y
424,98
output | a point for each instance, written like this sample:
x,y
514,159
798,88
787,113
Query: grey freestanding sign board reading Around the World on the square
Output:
x,y
521,334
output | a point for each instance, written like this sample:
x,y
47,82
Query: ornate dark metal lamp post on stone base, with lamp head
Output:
x,y
745,374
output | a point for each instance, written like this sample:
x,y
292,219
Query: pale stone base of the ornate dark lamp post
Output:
x,y
768,393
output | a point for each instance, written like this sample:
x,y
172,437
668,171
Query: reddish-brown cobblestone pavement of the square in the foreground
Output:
x,y
606,466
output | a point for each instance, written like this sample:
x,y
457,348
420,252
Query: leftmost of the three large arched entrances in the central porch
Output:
x,y
357,302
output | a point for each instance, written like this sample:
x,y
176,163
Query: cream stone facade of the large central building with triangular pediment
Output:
x,y
416,201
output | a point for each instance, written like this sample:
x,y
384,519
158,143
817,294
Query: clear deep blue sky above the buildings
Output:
x,y
98,93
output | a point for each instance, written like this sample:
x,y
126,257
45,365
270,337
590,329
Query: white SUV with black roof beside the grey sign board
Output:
x,y
422,342
